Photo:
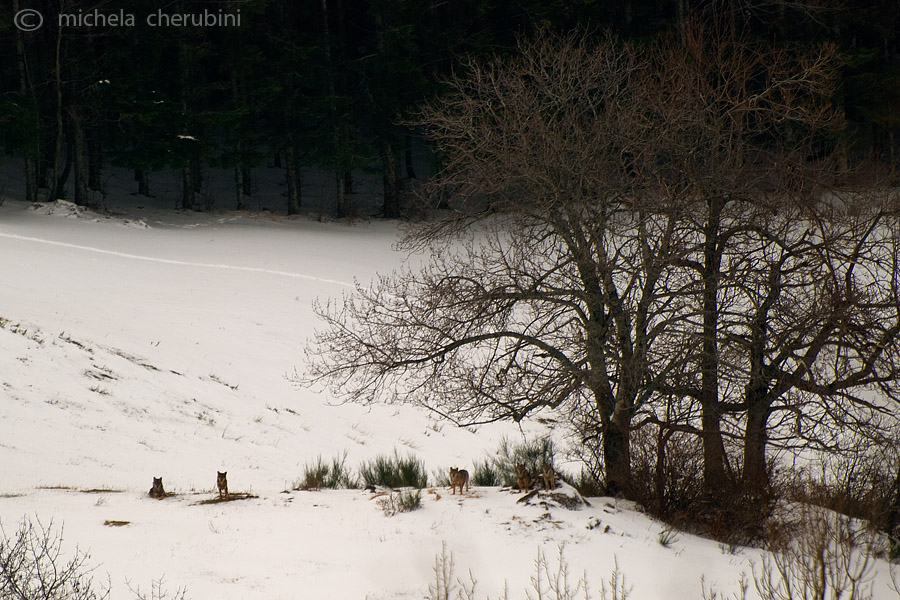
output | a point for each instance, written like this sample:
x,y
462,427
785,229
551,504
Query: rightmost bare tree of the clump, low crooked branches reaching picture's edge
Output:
x,y
815,338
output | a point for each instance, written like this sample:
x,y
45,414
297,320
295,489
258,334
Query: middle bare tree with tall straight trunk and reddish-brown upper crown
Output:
x,y
735,121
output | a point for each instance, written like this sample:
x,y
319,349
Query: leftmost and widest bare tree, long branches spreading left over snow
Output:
x,y
552,301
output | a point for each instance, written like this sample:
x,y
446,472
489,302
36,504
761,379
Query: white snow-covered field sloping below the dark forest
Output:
x,y
157,343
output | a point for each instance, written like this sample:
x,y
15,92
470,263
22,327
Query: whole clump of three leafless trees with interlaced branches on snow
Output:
x,y
624,229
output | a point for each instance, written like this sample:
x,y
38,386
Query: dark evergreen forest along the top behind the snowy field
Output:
x,y
326,84
